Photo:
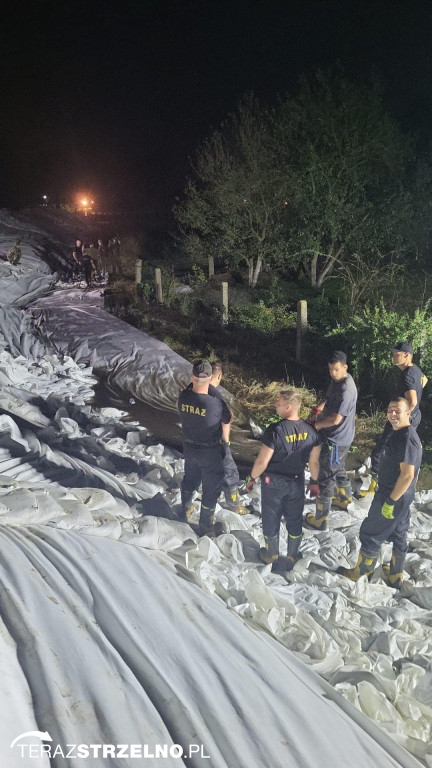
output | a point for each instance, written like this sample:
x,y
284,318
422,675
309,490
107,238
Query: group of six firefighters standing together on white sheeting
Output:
x,y
322,442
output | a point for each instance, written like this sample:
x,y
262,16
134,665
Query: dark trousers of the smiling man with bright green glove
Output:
x,y
375,528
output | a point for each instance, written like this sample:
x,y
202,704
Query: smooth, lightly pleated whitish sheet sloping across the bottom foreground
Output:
x,y
114,648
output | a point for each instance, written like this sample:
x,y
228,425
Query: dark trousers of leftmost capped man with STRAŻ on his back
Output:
x,y
202,465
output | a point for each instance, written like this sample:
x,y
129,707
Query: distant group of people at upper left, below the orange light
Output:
x,y
98,260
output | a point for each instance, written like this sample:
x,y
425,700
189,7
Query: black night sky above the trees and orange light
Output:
x,y
115,96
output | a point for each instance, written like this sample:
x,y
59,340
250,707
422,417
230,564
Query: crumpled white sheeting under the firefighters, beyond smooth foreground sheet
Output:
x,y
372,643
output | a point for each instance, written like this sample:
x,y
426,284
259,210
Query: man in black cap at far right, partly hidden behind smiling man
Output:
x,y
411,384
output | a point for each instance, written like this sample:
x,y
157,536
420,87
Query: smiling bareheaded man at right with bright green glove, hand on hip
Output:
x,y
389,514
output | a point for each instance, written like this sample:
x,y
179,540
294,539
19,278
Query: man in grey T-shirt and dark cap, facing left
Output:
x,y
335,422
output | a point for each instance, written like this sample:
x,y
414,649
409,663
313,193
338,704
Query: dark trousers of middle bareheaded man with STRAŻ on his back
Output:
x,y
282,496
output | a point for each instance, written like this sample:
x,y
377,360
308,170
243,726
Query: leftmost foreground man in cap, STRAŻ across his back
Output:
x,y
206,423
